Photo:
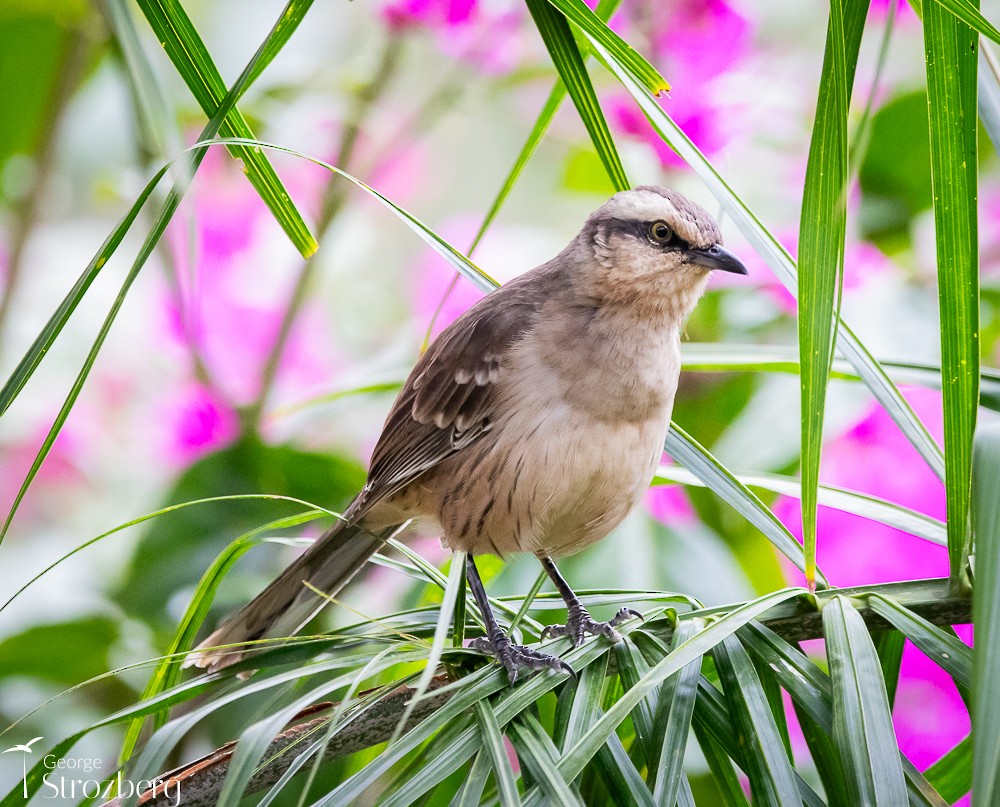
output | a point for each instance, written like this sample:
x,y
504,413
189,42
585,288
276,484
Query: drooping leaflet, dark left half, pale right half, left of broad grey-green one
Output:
x,y
772,779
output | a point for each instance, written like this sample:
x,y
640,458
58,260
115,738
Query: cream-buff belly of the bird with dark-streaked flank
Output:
x,y
566,482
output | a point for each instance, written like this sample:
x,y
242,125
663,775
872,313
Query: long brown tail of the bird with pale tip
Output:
x,y
287,604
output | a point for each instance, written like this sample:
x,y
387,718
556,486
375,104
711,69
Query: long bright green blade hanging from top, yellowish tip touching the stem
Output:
x,y
822,231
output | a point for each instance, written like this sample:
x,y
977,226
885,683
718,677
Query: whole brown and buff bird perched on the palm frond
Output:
x,y
533,423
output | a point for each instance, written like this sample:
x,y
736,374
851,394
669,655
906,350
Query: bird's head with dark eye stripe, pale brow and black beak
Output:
x,y
653,250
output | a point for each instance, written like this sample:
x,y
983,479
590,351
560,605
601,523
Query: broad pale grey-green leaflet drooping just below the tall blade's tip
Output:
x,y
862,723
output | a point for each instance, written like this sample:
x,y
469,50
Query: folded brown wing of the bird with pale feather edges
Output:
x,y
446,403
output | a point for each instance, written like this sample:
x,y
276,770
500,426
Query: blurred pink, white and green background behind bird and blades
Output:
x,y
236,366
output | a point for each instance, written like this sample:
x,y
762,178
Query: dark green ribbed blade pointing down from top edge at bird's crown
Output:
x,y
562,47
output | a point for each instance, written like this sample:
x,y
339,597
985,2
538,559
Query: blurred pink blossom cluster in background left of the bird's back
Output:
x,y
232,305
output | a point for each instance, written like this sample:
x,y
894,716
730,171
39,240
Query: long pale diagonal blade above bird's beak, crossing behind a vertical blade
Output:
x,y
780,262
